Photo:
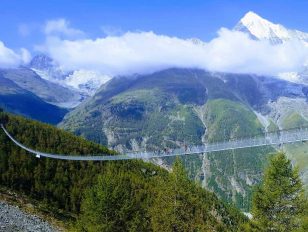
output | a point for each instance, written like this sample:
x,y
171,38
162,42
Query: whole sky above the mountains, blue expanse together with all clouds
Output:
x,y
150,35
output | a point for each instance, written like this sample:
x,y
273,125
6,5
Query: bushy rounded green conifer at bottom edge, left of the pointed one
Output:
x,y
113,203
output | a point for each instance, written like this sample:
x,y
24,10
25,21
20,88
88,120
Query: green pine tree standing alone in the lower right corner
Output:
x,y
279,204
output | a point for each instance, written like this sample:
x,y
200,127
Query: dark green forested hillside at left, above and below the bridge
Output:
x,y
58,183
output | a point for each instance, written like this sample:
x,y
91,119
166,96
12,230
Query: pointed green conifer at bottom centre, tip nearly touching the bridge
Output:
x,y
174,207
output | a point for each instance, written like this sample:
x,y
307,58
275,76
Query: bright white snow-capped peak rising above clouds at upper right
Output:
x,y
262,29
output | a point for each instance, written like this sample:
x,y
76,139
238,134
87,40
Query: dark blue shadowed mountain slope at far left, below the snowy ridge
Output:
x,y
17,100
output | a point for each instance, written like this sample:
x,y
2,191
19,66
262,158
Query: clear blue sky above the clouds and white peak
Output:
x,y
21,22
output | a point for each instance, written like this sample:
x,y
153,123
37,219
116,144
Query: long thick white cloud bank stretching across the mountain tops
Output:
x,y
143,52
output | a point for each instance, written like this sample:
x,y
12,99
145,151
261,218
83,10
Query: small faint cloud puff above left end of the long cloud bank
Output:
x,y
61,27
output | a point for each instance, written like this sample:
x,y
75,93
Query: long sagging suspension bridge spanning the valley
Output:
x,y
267,139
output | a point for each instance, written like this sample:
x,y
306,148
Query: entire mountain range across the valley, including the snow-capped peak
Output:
x,y
174,107
